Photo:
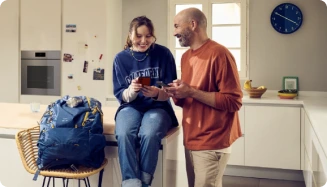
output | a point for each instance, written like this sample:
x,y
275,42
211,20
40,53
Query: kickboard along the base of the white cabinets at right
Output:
x,y
265,173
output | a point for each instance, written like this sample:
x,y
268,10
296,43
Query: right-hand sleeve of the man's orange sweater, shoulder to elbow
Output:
x,y
230,94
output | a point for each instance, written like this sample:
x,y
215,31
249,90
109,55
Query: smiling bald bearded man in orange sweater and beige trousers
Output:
x,y
210,94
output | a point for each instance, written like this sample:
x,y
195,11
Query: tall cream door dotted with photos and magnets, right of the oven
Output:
x,y
90,20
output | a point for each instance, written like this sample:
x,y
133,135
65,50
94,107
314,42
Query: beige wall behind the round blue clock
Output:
x,y
302,54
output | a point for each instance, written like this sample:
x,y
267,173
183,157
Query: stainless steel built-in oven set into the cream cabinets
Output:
x,y
40,73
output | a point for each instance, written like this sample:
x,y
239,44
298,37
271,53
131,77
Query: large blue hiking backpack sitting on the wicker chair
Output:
x,y
71,134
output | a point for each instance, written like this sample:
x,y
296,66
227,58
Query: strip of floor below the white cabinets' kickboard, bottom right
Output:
x,y
231,181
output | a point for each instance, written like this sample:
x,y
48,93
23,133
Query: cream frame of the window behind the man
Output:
x,y
207,10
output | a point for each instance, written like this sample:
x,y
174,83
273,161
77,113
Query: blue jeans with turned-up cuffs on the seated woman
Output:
x,y
135,129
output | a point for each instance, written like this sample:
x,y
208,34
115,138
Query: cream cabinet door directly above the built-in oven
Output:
x,y
40,25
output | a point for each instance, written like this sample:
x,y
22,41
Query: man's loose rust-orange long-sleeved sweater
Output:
x,y
211,68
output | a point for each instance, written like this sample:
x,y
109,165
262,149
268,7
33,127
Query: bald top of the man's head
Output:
x,y
193,14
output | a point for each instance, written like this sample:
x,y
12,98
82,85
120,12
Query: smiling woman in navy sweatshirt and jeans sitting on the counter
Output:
x,y
145,114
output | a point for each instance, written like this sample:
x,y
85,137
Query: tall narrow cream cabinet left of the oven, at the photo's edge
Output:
x,y
9,71
